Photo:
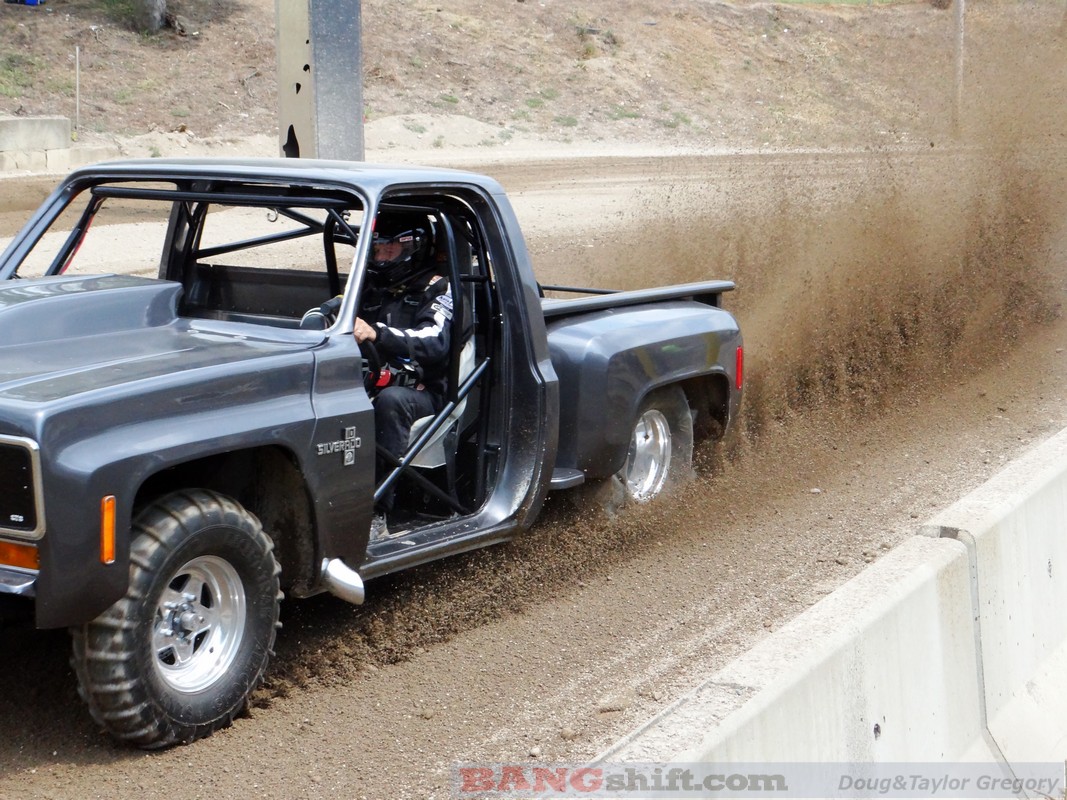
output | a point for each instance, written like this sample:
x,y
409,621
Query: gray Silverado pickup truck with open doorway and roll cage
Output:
x,y
177,451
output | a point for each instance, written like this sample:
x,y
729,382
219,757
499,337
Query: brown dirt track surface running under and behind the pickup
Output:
x,y
904,341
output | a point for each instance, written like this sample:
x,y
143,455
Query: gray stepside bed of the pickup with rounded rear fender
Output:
x,y
612,349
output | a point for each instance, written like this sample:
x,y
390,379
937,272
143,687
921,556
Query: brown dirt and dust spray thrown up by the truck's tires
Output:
x,y
866,280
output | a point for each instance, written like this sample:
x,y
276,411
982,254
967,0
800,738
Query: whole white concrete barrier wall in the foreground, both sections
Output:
x,y
950,649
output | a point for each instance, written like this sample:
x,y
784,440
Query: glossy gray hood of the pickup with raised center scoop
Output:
x,y
62,338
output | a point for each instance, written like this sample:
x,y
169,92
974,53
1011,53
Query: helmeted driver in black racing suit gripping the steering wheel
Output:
x,y
405,314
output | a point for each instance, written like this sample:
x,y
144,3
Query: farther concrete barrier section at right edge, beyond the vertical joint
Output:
x,y
1015,530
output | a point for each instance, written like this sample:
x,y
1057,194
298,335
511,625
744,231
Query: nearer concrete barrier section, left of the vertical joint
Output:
x,y
883,670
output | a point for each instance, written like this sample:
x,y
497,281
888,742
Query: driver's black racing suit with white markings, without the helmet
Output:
x,y
415,335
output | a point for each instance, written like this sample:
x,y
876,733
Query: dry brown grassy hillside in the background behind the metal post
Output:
x,y
673,72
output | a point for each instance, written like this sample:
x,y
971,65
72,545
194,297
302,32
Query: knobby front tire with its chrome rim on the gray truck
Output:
x,y
179,658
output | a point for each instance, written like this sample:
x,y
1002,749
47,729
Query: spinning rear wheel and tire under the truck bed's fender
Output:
x,y
661,453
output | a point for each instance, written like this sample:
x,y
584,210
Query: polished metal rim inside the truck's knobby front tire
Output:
x,y
200,623
